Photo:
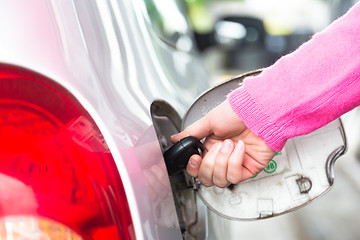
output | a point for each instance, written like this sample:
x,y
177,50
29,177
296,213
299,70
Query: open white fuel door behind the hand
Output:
x,y
300,173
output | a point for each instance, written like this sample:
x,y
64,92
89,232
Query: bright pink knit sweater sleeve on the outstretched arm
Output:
x,y
306,89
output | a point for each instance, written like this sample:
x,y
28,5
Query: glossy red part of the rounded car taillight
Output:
x,y
55,163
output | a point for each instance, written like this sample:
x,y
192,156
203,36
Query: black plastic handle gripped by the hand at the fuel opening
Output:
x,y
177,156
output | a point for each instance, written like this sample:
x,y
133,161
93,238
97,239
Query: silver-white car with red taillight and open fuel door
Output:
x,y
90,93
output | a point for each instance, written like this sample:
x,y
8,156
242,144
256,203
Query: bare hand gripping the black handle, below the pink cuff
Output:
x,y
232,152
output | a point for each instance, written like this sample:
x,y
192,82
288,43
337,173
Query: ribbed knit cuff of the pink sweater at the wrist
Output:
x,y
256,119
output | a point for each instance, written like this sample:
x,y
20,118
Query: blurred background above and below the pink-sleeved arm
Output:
x,y
235,36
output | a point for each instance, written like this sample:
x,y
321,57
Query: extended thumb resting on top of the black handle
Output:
x,y
198,129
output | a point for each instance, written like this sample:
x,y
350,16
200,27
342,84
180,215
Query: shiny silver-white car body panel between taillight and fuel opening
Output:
x,y
106,55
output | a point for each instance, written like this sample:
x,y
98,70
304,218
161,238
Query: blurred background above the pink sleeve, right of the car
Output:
x,y
240,35
